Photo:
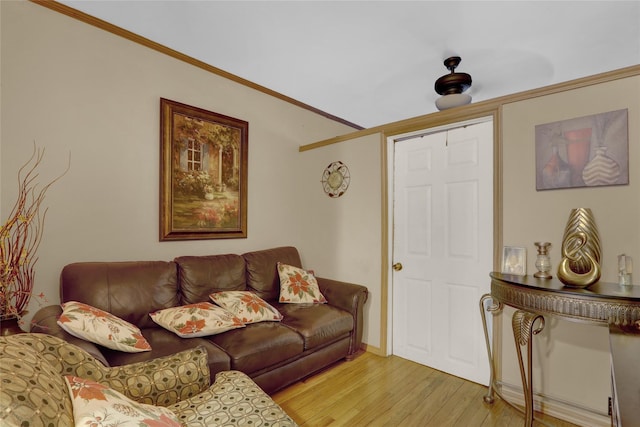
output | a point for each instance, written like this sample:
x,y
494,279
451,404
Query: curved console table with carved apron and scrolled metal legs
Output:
x,y
605,304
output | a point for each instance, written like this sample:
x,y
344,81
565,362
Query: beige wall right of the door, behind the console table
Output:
x,y
574,357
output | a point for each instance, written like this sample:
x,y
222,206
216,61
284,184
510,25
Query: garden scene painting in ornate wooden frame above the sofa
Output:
x,y
203,174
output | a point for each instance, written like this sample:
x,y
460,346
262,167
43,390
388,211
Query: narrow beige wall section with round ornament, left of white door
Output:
x,y
344,237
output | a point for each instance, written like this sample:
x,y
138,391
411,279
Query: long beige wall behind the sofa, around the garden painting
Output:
x,y
73,88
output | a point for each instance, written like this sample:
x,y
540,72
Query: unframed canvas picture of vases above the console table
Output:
x,y
589,151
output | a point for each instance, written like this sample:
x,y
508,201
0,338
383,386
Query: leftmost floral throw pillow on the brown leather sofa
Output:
x,y
100,327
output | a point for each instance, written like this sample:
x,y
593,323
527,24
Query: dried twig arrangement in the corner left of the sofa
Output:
x,y
20,238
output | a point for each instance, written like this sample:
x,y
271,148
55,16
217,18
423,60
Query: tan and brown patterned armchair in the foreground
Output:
x,y
36,370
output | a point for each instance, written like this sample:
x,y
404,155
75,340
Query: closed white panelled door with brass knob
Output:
x,y
443,231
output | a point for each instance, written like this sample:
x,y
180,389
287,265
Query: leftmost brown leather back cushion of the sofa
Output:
x,y
128,290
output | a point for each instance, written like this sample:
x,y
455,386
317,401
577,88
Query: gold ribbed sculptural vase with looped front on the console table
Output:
x,y
580,264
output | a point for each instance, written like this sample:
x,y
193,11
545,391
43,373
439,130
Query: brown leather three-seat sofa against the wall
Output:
x,y
309,338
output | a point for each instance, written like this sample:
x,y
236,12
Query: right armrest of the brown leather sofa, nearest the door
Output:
x,y
351,298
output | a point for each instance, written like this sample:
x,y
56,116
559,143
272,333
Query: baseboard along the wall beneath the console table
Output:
x,y
555,407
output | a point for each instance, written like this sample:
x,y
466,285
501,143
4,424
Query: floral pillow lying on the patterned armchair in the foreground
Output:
x,y
95,404
